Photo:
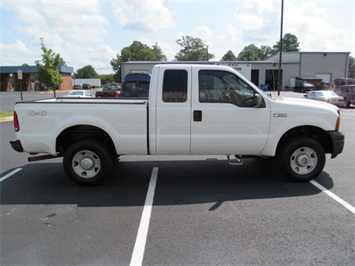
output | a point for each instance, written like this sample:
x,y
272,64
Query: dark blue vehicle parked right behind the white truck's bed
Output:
x,y
136,85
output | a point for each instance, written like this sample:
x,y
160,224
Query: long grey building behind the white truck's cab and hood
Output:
x,y
325,66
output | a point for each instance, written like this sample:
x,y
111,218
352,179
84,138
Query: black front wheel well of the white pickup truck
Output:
x,y
312,132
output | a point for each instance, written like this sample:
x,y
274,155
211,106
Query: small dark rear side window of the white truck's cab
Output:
x,y
175,86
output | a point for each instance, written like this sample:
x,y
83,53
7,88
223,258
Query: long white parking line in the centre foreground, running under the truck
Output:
x,y
139,247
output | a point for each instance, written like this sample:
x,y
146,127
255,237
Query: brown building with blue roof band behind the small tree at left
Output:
x,y
29,79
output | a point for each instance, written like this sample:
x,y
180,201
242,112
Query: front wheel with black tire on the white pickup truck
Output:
x,y
301,159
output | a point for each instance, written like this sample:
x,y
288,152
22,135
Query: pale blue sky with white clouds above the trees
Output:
x,y
93,32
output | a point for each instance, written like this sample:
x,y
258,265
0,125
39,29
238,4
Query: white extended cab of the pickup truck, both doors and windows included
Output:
x,y
195,105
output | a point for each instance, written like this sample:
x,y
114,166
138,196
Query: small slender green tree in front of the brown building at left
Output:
x,y
48,70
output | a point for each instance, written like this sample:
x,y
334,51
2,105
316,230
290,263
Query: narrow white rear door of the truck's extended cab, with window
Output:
x,y
172,110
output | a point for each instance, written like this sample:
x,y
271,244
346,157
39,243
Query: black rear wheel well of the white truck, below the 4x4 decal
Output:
x,y
82,132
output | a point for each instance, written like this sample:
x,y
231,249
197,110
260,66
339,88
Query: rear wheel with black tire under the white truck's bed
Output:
x,y
87,162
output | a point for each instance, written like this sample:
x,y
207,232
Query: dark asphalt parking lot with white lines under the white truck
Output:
x,y
193,210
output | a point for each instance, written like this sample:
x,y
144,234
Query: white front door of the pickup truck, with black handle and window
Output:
x,y
229,115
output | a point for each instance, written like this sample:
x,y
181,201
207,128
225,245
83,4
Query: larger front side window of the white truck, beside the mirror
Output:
x,y
217,86
